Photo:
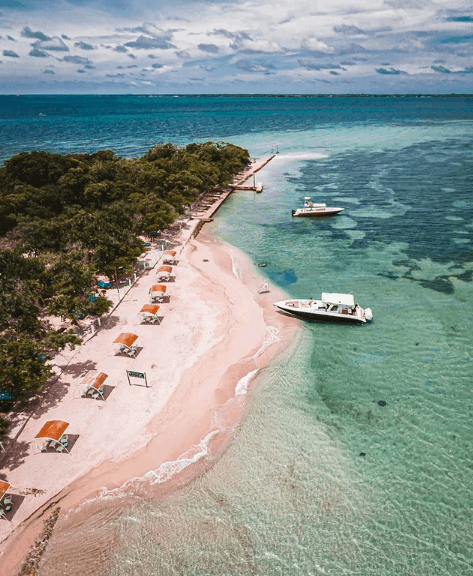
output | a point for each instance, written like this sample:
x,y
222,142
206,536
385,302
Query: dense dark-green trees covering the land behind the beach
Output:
x,y
66,219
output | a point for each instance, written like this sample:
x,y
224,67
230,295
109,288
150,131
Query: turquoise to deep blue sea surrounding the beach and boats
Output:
x,y
355,456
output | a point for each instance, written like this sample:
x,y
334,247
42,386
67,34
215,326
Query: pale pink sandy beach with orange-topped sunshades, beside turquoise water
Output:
x,y
216,332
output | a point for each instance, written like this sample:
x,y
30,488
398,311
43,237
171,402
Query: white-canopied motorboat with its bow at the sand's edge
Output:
x,y
332,308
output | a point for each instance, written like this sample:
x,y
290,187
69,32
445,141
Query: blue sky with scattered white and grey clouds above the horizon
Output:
x,y
229,46
